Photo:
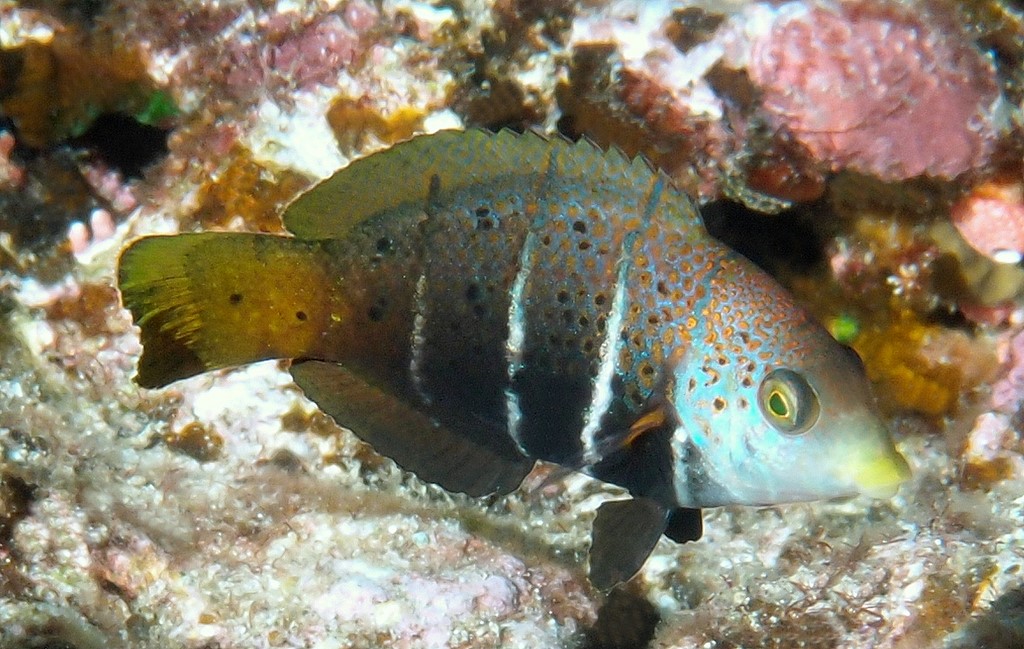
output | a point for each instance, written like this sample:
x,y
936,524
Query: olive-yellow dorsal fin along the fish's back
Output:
x,y
409,172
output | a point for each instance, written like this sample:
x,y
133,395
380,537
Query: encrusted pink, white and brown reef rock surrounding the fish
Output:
x,y
227,512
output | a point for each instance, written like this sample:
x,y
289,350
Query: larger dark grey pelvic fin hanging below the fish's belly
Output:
x,y
624,536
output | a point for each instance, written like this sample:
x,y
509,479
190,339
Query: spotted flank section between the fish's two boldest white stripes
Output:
x,y
556,386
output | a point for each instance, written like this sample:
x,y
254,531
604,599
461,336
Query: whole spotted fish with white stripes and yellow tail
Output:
x,y
471,304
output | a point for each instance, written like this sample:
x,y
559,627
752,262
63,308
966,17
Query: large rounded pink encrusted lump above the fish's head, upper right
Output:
x,y
877,90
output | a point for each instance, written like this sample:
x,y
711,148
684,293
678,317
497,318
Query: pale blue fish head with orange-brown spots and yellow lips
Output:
x,y
773,409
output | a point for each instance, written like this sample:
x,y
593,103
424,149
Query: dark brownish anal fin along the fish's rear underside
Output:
x,y
415,441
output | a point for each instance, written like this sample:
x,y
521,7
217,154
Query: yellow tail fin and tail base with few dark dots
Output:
x,y
221,299
